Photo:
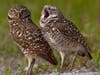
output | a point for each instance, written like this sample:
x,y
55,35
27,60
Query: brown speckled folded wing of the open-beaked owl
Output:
x,y
69,30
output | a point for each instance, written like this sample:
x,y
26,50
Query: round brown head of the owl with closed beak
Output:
x,y
18,12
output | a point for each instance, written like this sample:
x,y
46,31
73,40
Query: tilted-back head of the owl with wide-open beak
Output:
x,y
49,13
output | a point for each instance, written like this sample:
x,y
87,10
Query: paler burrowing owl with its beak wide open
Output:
x,y
62,34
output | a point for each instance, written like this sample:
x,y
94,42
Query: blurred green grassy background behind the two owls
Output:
x,y
84,13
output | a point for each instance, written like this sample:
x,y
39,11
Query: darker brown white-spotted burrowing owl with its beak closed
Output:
x,y
28,36
